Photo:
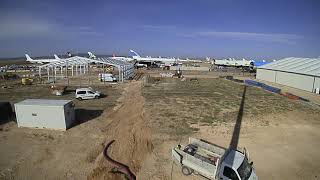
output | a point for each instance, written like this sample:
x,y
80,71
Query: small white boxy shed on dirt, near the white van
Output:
x,y
44,113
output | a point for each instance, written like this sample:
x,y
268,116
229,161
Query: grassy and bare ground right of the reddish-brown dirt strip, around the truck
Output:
x,y
280,134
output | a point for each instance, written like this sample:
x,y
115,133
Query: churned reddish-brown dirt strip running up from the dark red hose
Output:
x,y
129,127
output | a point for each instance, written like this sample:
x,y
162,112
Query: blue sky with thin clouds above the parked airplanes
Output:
x,y
260,29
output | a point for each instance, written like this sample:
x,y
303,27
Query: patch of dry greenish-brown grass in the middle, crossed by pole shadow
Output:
x,y
176,104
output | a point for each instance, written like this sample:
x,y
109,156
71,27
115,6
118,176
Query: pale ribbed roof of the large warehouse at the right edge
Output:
x,y
308,66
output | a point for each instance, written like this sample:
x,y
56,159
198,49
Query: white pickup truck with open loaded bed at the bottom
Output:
x,y
212,161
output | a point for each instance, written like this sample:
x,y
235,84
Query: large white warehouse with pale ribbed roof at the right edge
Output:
x,y
301,73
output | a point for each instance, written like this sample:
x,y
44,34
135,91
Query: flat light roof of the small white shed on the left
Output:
x,y
44,102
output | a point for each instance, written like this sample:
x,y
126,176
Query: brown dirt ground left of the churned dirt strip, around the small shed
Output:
x,y
47,154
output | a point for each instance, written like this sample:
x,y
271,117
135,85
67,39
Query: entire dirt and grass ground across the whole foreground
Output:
x,y
148,119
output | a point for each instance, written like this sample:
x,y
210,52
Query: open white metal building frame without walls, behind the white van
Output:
x,y
80,65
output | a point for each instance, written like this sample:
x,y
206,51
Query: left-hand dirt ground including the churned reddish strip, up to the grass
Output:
x,y
77,153
